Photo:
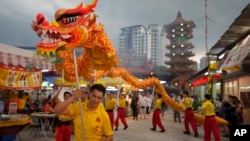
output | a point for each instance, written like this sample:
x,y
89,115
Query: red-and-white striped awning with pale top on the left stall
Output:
x,y
17,57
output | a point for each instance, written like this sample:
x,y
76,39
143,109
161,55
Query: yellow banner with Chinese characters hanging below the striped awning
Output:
x,y
20,78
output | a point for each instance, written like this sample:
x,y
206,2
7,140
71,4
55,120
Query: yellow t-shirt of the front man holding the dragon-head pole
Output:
x,y
96,123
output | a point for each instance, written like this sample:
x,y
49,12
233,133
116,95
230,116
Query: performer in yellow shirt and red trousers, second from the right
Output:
x,y
189,115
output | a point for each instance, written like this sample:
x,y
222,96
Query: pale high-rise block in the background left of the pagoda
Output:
x,y
145,42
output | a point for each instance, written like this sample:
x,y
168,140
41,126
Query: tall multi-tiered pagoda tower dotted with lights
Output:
x,y
180,48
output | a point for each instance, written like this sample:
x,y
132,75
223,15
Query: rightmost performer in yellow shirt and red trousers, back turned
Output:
x,y
210,124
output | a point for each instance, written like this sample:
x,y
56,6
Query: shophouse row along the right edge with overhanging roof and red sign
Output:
x,y
229,74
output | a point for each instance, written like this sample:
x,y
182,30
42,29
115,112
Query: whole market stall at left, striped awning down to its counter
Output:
x,y
21,72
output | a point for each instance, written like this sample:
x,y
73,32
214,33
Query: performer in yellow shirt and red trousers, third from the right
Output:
x,y
156,115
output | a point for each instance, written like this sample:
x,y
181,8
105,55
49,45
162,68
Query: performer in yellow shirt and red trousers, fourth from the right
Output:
x,y
121,113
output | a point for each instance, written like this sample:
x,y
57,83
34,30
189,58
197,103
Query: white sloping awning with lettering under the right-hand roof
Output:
x,y
234,58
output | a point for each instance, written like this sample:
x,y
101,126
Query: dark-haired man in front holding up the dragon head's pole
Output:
x,y
95,118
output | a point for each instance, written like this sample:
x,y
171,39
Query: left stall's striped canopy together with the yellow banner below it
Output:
x,y
19,68
